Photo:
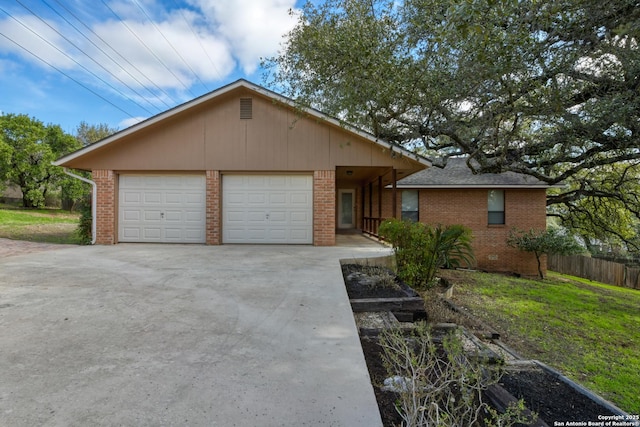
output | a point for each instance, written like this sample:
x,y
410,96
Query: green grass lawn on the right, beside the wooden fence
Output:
x,y
587,330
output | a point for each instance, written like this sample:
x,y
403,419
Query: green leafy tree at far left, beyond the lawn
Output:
x,y
28,148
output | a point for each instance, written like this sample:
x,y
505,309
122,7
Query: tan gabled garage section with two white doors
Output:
x,y
238,165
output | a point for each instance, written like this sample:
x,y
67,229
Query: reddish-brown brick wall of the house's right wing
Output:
x,y
525,209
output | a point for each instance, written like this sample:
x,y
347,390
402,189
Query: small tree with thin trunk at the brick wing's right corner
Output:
x,y
549,242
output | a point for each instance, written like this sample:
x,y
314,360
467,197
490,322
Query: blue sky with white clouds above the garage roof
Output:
x,y
121,61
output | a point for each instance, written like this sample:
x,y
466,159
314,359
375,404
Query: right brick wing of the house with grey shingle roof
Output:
x,y
491,205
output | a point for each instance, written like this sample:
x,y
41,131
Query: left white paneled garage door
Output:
x,y
162,208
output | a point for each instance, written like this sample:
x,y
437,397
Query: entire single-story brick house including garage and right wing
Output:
x,y
242,164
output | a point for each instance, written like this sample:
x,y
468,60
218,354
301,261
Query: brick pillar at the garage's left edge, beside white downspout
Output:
x,y
106,207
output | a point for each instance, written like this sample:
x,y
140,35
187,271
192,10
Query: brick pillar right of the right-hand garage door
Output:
x,y
324,208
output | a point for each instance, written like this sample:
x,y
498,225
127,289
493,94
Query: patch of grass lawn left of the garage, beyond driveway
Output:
x,y
39,225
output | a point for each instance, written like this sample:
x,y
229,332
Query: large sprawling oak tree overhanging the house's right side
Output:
x,y
545,88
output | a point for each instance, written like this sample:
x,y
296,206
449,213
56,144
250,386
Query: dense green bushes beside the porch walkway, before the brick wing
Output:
x,y
421,249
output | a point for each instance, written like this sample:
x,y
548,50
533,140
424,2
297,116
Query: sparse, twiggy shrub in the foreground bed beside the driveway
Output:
x,y
441,386
